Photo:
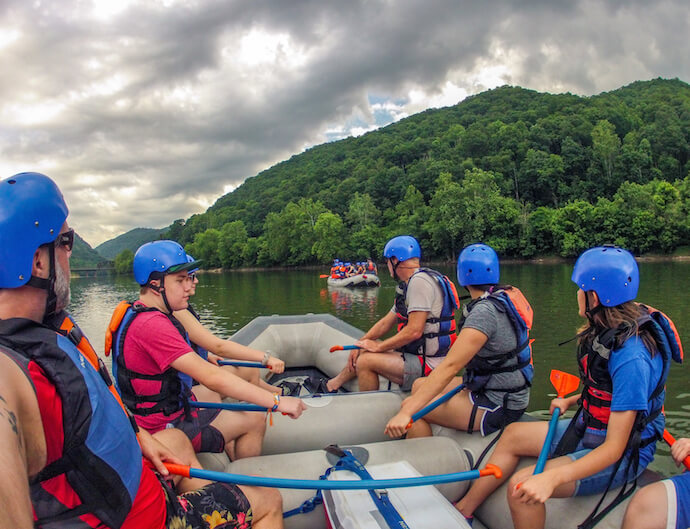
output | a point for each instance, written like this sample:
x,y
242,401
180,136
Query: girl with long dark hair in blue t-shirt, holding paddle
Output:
x,y
624,354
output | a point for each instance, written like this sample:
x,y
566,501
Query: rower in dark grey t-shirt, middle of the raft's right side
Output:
x,y
494,348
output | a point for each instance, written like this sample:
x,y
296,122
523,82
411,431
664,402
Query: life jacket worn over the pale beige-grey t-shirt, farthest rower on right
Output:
x,y
447,333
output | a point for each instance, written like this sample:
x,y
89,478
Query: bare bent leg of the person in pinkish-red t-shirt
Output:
x,y
247,429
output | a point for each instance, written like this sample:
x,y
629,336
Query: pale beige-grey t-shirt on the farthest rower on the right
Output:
x,y
424,295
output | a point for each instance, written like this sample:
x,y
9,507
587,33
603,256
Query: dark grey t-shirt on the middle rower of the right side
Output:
x,y
486,318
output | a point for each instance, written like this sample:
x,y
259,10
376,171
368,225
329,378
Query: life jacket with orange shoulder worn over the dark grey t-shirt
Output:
x,y
478,372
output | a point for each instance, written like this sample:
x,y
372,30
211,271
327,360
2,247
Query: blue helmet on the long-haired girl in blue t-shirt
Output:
x,y
609,271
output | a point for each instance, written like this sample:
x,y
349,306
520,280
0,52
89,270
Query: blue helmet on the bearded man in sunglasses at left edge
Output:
x,y
32,211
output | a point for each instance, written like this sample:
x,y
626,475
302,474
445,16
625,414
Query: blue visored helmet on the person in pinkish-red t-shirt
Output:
x,y
161,258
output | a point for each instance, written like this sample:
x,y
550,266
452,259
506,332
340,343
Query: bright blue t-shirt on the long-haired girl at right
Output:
x,y
635,375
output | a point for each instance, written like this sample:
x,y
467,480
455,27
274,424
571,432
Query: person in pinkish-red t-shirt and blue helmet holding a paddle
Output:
x,y
151,348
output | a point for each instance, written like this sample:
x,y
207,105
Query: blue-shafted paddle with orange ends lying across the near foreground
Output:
x,y
323,484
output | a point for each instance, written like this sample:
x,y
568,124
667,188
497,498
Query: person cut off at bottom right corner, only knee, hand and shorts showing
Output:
x,y
666,503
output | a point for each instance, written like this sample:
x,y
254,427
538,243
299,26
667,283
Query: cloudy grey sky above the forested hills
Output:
x,y
145,111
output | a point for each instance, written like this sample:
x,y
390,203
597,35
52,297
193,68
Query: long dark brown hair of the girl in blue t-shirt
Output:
x,y
623,317
